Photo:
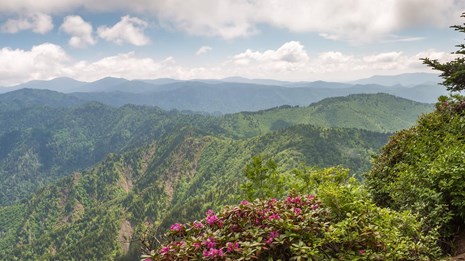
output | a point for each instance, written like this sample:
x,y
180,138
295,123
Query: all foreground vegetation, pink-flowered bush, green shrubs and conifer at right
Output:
x,y
408,206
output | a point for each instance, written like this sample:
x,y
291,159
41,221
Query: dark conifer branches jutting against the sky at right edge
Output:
x,y
453,72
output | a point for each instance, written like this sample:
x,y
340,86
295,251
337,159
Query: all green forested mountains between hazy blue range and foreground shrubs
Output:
x,y
94,178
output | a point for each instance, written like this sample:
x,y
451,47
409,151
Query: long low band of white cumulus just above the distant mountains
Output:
x,y
288,62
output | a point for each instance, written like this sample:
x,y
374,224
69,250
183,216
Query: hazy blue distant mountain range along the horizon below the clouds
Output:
x,y
235,94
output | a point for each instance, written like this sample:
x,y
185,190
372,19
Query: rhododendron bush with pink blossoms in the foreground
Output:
x,y
299,227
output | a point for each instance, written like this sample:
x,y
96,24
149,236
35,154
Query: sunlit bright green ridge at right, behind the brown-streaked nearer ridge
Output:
x,y
375,112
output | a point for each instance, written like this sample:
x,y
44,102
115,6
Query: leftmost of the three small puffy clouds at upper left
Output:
x,y
38,22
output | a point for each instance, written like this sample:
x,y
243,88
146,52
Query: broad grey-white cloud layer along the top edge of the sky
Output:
x,y
355,20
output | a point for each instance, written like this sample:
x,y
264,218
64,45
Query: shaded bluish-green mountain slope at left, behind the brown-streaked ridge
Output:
x,y
41,144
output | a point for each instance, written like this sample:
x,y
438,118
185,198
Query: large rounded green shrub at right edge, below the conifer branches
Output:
x,y
421,169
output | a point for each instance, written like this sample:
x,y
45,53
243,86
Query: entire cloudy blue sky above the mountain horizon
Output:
x,y
294,40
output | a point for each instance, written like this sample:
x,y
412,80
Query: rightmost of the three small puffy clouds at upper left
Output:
x,y
128,30
